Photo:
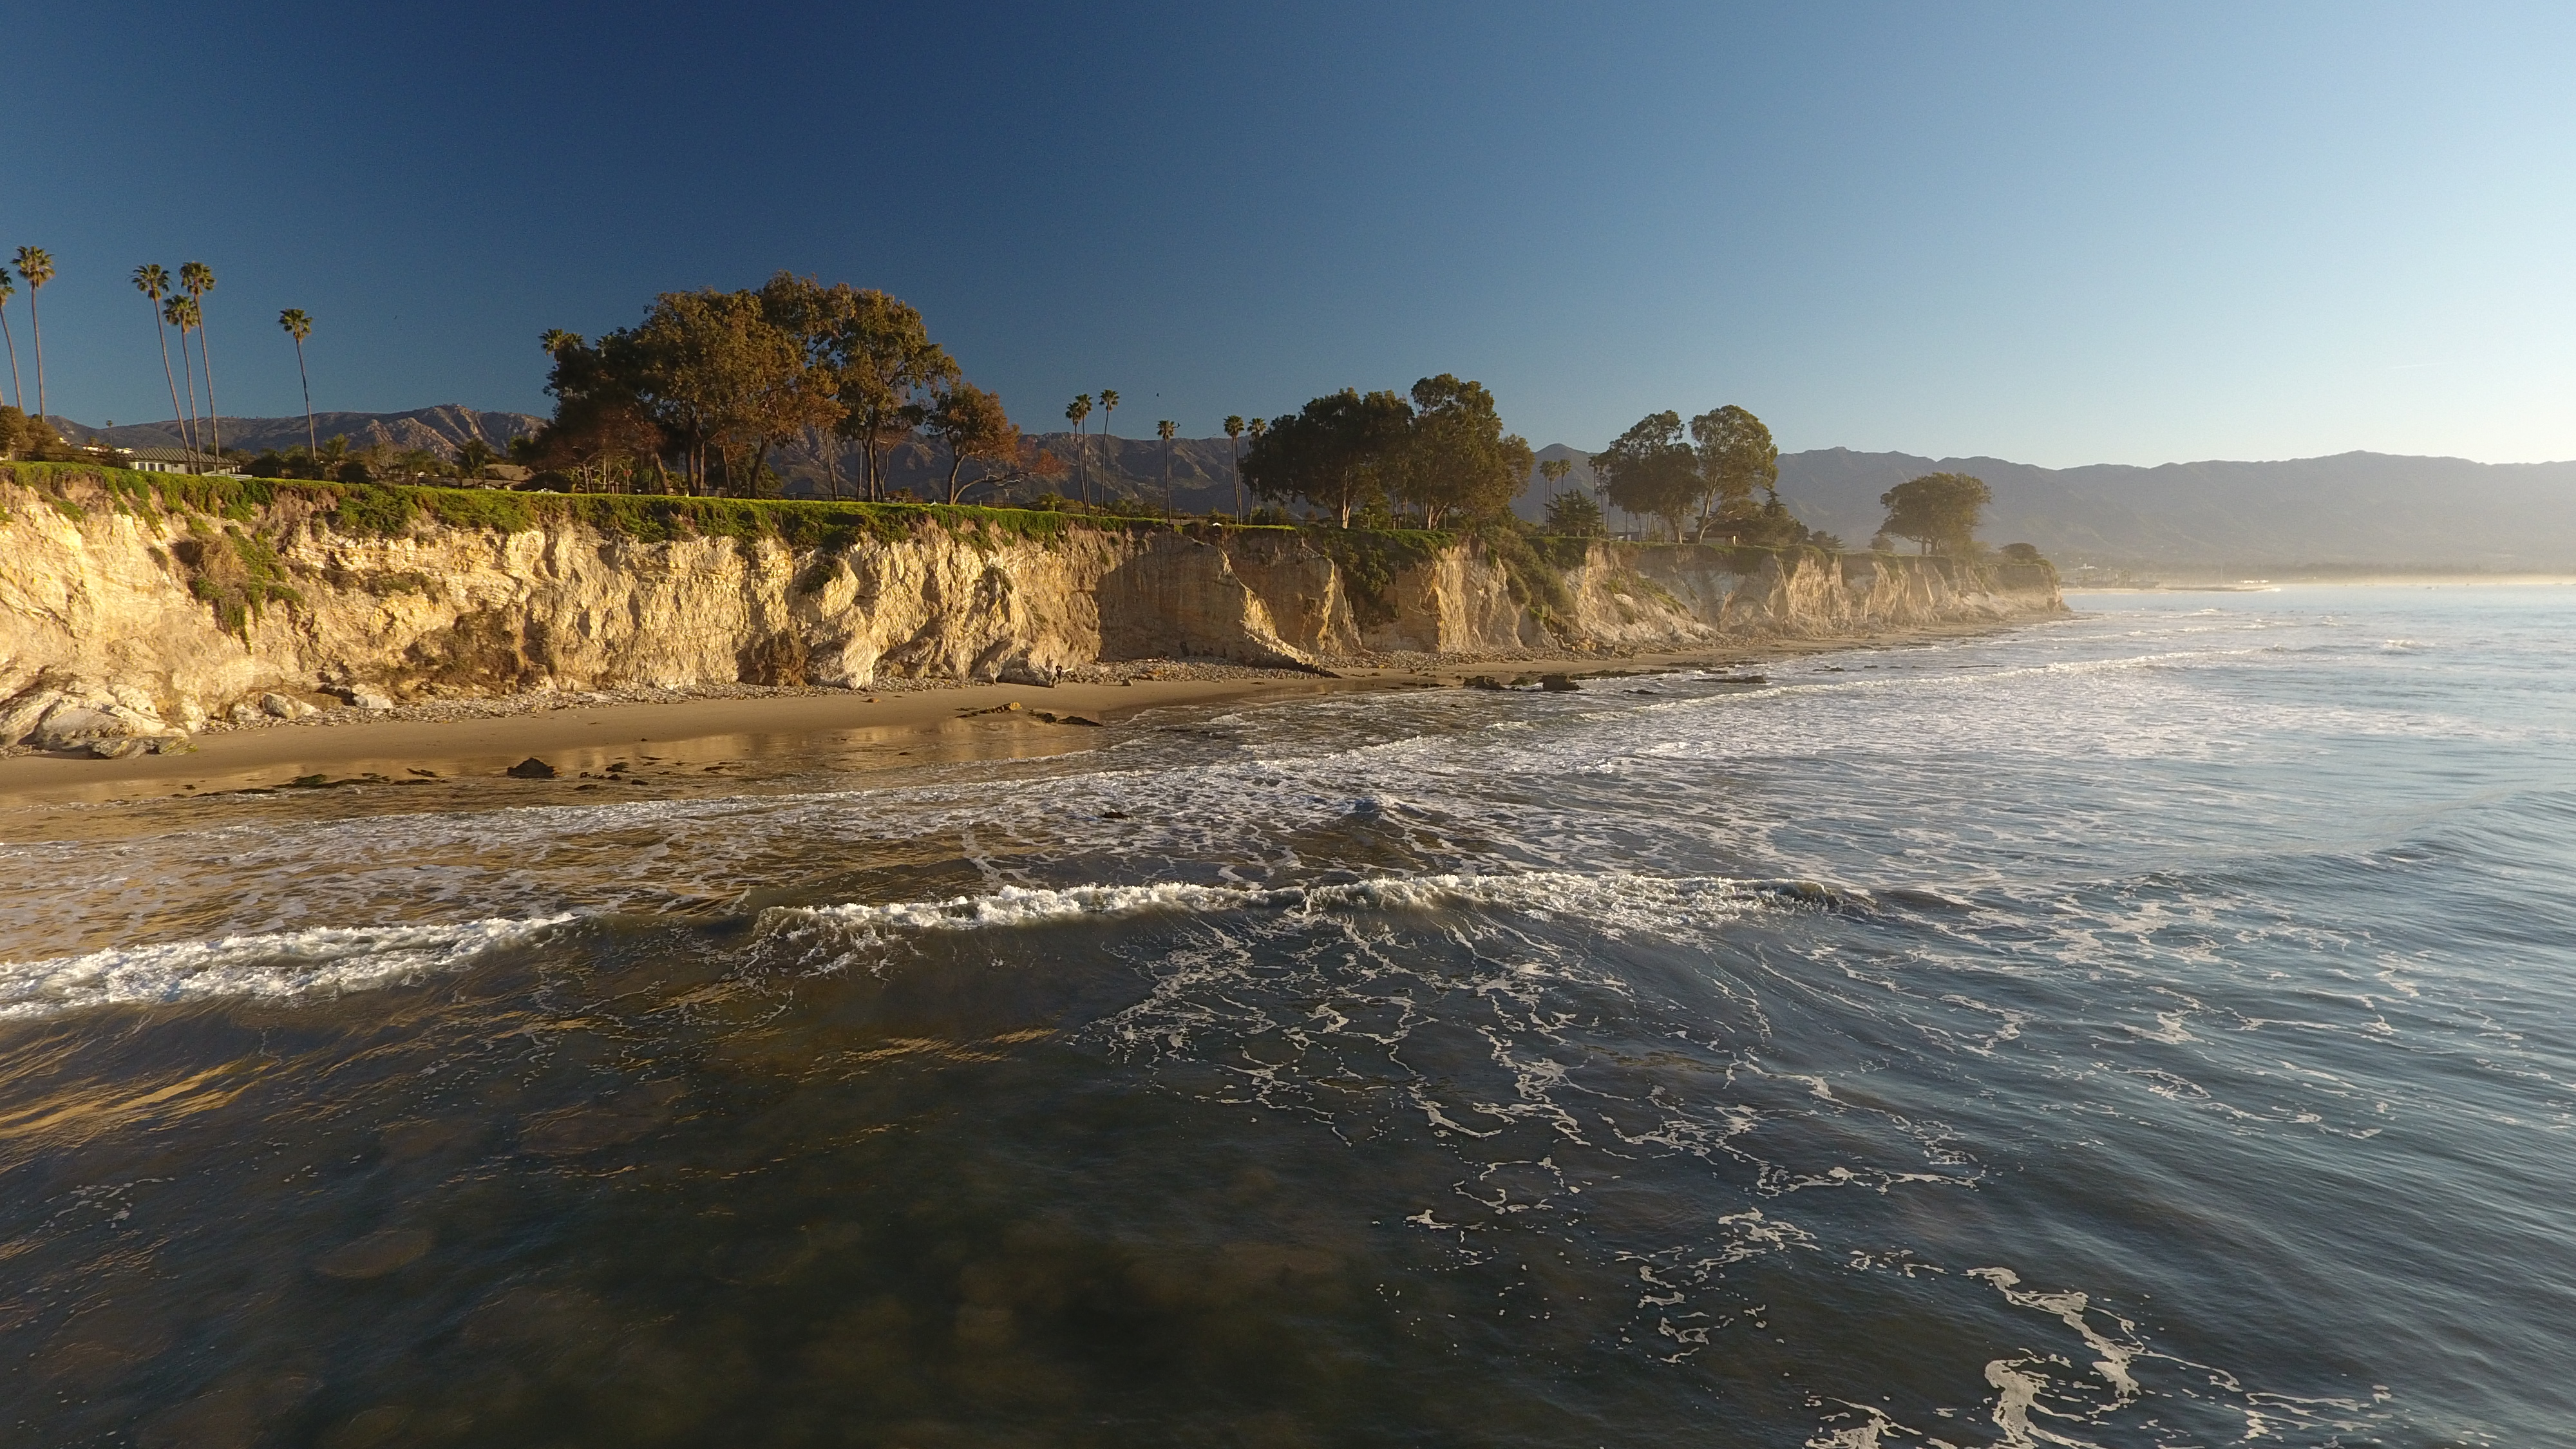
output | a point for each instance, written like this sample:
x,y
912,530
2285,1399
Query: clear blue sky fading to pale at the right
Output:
x,y
2049,233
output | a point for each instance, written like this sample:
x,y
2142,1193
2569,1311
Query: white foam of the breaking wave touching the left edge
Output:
x,y
277,966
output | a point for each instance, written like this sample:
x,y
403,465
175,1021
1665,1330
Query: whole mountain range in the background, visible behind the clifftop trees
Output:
x,y
2338,512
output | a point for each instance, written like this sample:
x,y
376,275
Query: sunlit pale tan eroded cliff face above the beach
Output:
x,y
125,618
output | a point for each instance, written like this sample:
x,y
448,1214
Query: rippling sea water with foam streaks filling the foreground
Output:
x,y
2142,1030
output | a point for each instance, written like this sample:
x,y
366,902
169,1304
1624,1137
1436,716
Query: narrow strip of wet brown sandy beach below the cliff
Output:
x,y
586,736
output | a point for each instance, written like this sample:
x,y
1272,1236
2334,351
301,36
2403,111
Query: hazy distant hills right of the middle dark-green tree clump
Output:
x,y
2351,509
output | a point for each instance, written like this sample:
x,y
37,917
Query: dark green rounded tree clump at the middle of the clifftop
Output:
x,y
1439,455
